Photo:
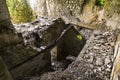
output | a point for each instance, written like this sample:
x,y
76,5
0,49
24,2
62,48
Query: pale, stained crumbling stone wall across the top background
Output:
x,y
82,11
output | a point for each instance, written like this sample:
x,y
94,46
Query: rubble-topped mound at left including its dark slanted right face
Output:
x,y
40,33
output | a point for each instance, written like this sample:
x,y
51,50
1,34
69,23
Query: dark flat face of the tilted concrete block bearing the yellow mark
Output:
x,y
70,44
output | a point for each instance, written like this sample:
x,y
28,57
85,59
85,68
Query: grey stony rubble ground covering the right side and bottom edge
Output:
x,y
96,62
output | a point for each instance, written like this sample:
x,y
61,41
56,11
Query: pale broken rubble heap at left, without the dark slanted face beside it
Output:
x,y
33,32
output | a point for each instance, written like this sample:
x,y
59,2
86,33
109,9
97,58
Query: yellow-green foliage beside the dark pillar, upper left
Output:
x,y
20,11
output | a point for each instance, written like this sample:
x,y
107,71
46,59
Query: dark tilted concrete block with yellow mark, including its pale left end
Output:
x,y
68,45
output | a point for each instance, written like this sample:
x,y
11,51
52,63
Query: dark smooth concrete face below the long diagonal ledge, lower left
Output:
x,y
32,67
